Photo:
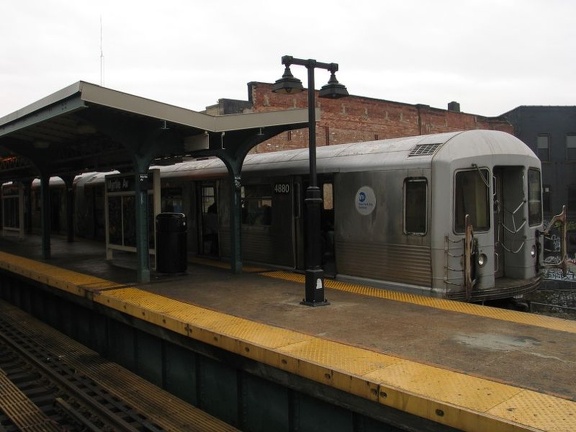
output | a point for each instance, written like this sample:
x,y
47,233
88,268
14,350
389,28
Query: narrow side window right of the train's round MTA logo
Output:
x,y
415,206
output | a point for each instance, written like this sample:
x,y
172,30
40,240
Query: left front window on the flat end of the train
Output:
x,y
472,198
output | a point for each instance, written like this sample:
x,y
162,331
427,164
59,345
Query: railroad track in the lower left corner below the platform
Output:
x,y
50,383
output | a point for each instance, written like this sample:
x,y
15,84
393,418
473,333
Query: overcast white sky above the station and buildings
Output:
x,y
489,55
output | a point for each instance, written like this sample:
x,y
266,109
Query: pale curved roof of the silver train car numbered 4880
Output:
x,y
416,151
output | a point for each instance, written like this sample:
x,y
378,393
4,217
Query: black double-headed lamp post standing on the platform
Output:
x,y
314,288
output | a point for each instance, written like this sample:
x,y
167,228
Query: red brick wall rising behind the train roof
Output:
x,y
355,118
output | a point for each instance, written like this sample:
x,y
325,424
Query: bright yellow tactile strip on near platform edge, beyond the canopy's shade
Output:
x,y
455,399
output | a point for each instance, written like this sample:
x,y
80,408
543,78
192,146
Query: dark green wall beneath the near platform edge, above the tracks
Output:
x,y
245,393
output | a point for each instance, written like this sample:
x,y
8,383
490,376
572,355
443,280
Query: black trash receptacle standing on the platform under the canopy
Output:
x,y
171,248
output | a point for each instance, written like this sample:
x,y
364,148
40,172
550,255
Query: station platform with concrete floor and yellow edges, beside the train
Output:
x,y
469,367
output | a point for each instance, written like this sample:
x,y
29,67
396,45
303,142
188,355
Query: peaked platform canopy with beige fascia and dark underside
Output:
x,y
86,127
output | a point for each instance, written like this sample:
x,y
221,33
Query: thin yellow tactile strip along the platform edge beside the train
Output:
x,y
448,305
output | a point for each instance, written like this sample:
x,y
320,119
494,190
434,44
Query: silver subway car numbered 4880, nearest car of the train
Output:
x,y
453,215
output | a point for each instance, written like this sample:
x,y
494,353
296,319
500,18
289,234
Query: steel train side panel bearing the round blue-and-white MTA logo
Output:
x,y
371,241
